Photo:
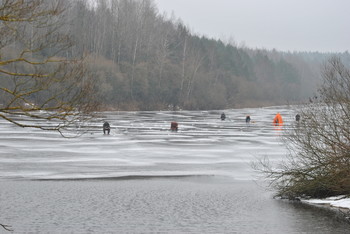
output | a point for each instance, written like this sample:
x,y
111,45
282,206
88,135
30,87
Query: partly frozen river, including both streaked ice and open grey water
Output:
x,y
143,178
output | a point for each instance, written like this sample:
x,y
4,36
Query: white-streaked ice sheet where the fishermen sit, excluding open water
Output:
x,y
142,144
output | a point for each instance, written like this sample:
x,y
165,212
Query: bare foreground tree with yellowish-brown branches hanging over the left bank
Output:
x,y
37,80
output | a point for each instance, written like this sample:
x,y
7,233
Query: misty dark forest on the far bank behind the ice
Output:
x,y
143,60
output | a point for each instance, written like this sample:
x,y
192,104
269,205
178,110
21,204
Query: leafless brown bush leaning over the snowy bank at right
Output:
x,y
319,161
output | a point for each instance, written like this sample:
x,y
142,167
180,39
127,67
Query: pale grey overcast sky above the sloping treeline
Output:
x,y
288,25
